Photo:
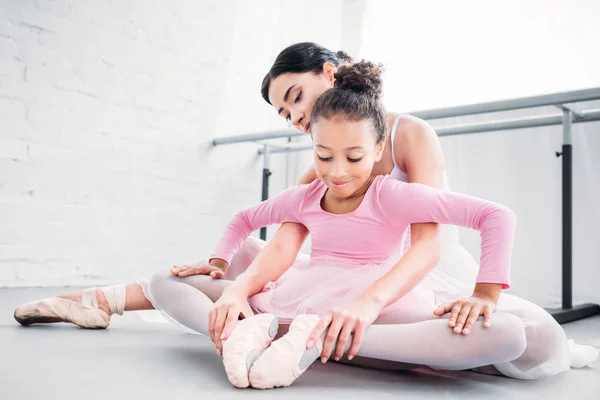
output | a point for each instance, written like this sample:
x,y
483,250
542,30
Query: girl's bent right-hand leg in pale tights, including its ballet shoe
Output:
x,y
429,342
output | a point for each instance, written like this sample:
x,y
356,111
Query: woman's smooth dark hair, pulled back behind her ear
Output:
x,y
302,57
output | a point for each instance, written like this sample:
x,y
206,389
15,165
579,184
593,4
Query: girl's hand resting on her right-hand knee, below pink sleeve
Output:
x,y
464,312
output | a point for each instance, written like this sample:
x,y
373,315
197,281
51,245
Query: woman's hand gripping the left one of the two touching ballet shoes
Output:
x,y
230,307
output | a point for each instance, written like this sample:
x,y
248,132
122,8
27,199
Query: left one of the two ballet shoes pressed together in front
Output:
x,y
245,344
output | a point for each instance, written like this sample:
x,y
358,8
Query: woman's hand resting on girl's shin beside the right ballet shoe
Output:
x,y
340,323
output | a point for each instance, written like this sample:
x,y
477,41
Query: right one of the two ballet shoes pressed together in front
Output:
x,y
287,358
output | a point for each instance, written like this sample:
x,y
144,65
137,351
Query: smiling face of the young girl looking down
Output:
x,y
345,152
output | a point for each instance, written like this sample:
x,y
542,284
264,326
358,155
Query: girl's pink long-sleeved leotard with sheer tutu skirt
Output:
x,y
346,248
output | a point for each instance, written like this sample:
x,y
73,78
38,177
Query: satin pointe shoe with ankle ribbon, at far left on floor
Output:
x,y
85,314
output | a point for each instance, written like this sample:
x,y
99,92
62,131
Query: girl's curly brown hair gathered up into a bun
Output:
x,y
355,96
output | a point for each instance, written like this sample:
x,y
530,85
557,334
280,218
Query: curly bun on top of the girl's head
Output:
x,y
363,77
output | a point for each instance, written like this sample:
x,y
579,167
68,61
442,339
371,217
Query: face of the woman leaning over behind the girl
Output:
x,y
293,95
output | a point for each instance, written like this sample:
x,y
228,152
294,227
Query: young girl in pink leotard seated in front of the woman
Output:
x,y
355,221
